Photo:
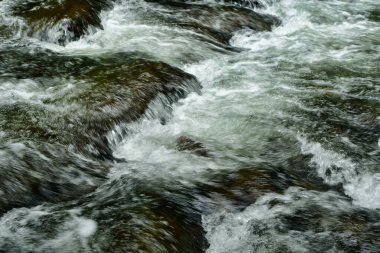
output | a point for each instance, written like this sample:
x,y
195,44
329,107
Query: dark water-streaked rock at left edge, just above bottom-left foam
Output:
x,y
35,172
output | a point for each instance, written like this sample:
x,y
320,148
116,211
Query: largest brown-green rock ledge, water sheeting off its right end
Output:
x,y
108,90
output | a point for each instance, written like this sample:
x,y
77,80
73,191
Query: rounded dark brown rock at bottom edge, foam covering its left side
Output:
x,y
128,214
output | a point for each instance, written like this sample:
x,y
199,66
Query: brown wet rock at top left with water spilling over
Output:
x,y
61,21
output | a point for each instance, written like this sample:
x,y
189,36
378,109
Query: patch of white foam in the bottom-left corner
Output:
x,y
72,233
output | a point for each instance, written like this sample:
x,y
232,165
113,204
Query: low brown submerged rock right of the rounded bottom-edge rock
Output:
x,y
238,189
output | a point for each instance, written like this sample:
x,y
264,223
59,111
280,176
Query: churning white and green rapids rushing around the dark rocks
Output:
x,y
303,98
